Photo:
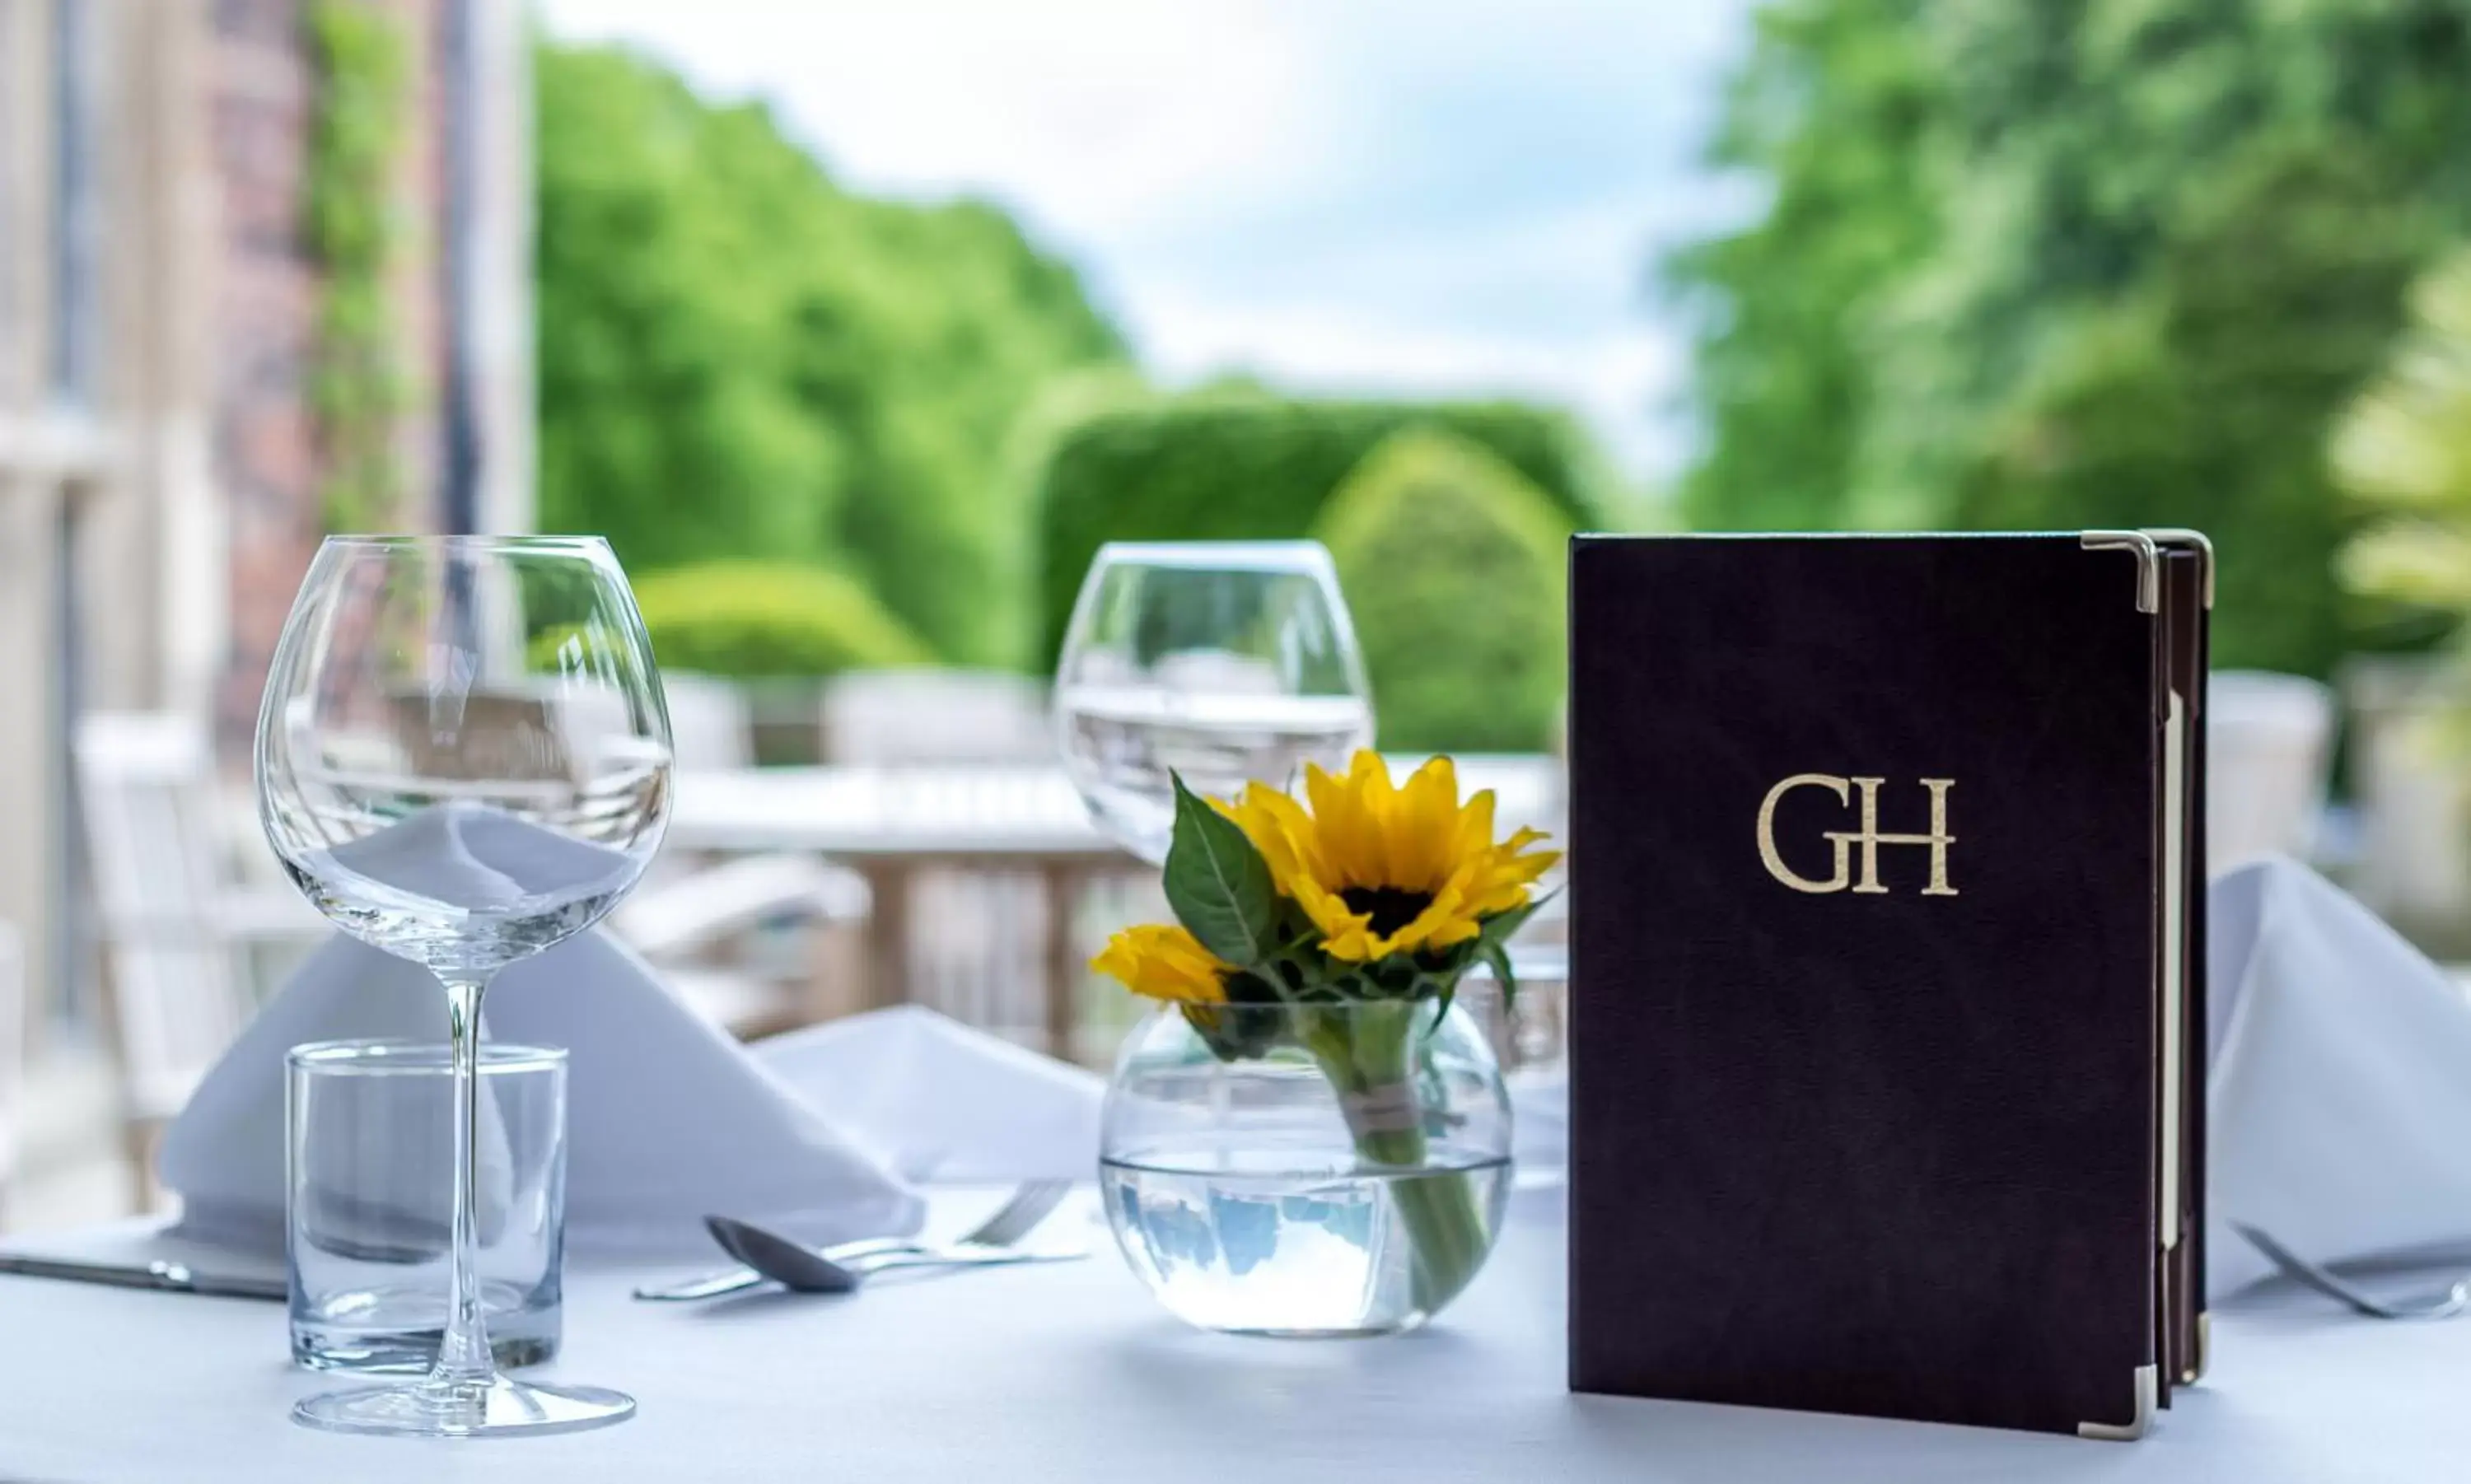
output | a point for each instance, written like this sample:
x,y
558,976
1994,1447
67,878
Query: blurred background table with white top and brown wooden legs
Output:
x,y
896,823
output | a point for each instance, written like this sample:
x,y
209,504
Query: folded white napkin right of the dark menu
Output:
x,y
2341,1080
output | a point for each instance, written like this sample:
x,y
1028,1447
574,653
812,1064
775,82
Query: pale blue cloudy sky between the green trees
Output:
x,y
1345,196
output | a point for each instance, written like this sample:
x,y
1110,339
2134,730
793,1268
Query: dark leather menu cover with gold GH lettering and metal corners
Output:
x,y
1867,957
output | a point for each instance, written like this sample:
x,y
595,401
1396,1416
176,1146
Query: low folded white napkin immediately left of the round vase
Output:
x,y
940,1100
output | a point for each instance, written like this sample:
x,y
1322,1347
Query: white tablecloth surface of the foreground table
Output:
x,y
1071,1374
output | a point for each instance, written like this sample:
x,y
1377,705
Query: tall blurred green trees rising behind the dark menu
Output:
x,y
2077,265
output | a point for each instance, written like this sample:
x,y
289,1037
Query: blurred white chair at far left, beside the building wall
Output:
x,y
174,925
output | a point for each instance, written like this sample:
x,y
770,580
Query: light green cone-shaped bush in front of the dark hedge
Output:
x,y
1454,569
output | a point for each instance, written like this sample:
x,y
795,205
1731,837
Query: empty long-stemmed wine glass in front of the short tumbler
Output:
x,y
463,757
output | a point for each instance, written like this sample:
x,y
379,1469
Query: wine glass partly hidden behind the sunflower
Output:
x,y
1217,661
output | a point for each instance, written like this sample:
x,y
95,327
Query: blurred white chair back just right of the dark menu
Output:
x,y
2270,752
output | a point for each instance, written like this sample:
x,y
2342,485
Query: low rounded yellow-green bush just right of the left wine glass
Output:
x,y
760,621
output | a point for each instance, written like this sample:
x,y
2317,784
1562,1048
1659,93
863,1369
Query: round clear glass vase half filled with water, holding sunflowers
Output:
x,y
1306,1169
